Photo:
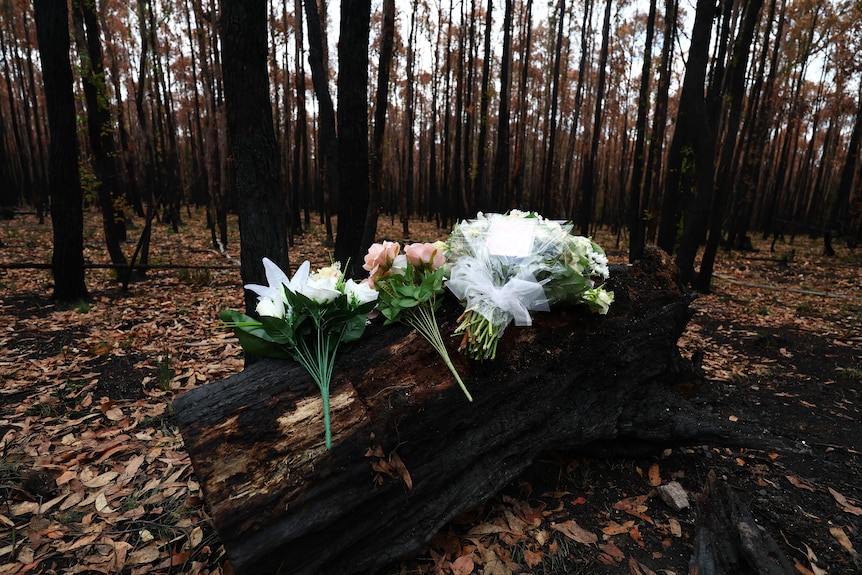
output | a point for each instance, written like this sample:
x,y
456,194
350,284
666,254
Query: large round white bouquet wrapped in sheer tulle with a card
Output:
x,y
503,266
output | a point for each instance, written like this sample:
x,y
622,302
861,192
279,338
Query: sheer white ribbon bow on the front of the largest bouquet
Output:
x,y
473,282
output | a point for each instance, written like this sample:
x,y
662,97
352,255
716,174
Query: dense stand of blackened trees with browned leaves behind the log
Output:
x,y
684,124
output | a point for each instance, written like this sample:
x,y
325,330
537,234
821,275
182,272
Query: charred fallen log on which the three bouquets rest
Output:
x,y
410,453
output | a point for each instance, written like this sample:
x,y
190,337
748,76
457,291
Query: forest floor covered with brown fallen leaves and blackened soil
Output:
x,y
94,477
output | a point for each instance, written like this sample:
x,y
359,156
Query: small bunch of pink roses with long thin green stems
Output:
x,y
408,285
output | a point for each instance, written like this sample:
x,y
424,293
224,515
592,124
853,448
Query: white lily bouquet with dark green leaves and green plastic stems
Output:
x,y
305,318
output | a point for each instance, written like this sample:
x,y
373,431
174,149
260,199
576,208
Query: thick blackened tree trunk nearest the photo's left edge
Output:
x,y
67,217
